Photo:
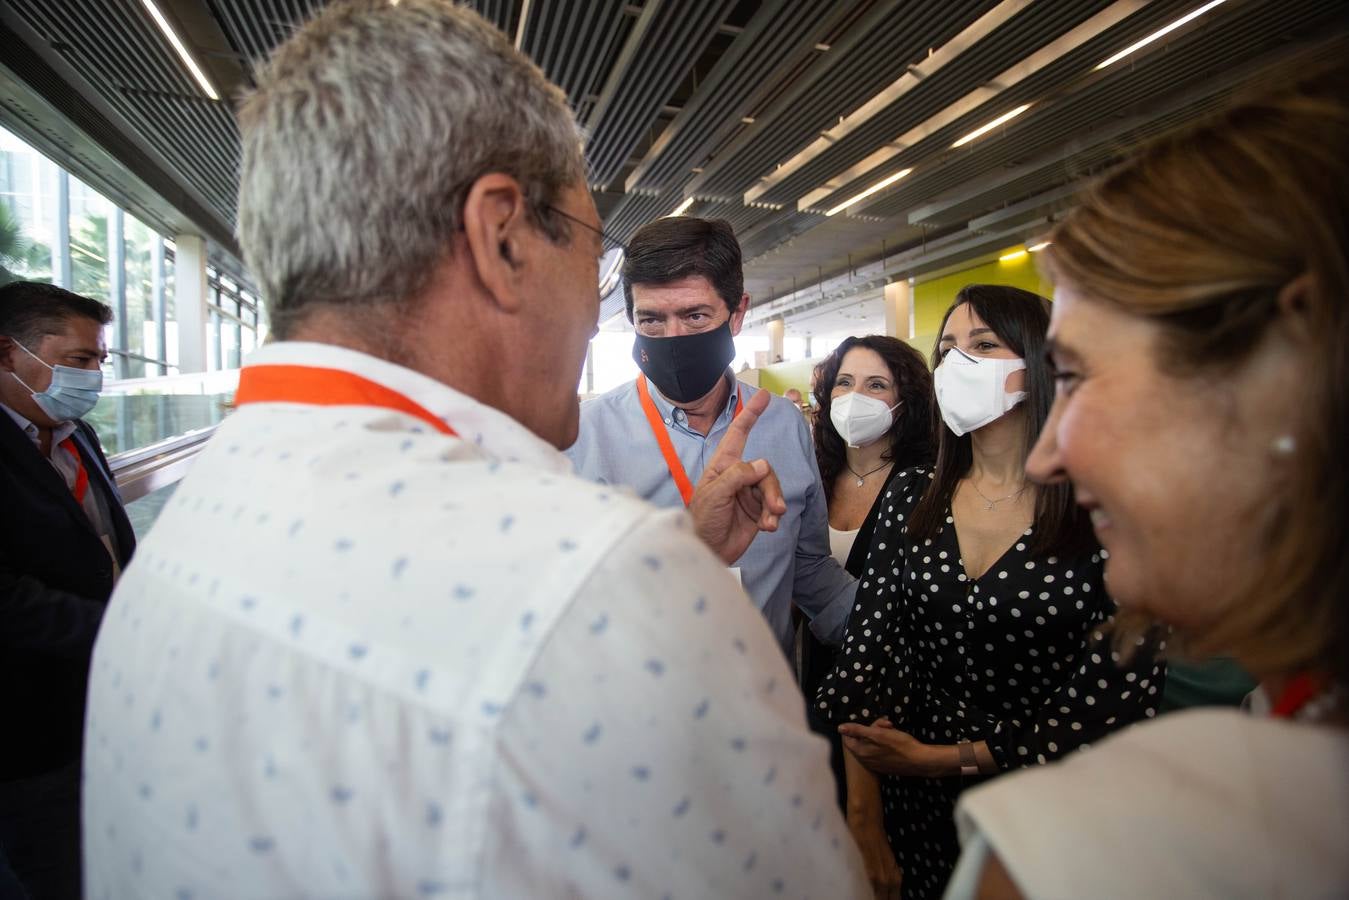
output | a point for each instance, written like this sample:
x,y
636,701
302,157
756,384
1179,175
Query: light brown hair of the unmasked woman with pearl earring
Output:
x,y
1200,233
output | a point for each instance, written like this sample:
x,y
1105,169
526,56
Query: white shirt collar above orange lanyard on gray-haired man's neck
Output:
x,y
494,432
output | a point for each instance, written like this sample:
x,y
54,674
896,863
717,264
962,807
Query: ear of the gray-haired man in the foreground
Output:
x,y
496,226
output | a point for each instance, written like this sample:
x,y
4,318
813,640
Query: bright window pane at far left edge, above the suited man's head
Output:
x,y
28,211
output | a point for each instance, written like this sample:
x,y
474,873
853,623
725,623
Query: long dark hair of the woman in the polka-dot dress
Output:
x,y
1022,322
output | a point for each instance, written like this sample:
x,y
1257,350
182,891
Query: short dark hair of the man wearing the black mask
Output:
x,y
679,248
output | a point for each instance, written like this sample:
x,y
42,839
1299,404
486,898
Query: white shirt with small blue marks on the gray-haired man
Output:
x,y
357,658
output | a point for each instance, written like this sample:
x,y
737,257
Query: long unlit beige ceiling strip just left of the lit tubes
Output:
x,y
1047,55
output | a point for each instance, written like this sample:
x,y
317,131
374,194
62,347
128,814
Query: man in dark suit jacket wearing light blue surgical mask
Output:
x,y
64,539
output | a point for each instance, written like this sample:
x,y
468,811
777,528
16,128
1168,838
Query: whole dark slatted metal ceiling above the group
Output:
x,y
772,114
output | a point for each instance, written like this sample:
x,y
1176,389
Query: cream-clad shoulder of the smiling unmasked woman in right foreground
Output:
x,y
1196,804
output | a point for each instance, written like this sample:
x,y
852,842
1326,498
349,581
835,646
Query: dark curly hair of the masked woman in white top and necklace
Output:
x,y
911,434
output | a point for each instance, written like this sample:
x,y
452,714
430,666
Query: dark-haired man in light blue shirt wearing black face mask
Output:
x,y
686,298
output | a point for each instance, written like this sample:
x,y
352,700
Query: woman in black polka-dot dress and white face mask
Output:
x,y
976,643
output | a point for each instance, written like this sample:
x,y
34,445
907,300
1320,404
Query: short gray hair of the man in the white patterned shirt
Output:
x,y
361,142
